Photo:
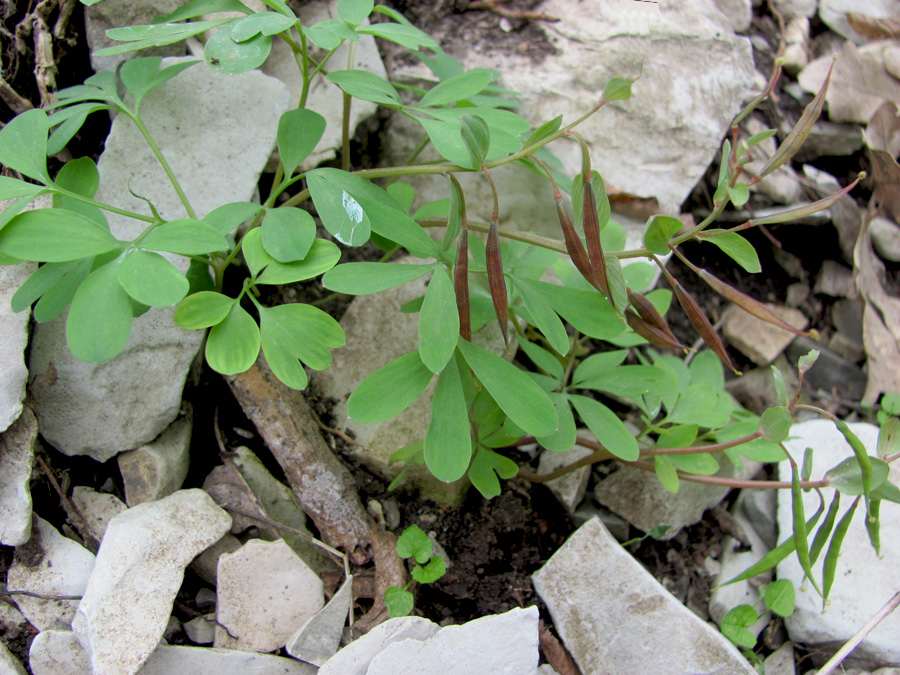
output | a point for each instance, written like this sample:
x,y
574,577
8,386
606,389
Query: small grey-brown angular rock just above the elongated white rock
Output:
x,y
158,468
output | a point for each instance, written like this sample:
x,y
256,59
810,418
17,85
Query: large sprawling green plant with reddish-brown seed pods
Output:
x,y
684,421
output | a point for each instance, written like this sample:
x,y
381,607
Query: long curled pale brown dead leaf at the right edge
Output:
x,y
881,320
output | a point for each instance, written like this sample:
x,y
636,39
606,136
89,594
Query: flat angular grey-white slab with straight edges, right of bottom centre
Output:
x,y
614,617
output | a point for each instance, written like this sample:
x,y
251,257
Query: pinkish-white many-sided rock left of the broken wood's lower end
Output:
x,y
265,593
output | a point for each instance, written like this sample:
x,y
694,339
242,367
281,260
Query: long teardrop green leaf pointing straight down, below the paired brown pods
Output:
x,y
448,441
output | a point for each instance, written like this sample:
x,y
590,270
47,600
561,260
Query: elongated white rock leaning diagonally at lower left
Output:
x,y
139,569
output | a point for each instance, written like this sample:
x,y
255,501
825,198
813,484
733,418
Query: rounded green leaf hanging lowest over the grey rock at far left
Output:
x,y
99,321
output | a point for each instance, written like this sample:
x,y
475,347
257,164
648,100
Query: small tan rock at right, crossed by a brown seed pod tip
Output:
x,y
758,340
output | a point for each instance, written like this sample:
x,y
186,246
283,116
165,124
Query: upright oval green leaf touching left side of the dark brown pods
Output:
x,y
438,322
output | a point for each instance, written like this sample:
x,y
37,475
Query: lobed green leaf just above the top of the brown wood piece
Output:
x,y
295,333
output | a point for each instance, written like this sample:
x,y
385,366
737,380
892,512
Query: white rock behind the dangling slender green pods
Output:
x,y
862,582
